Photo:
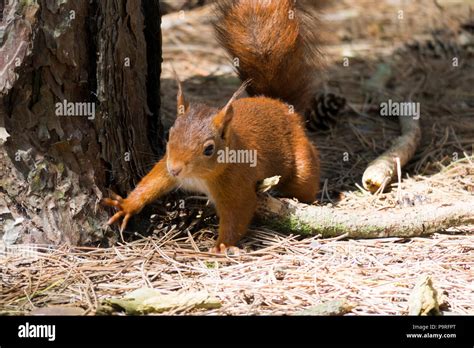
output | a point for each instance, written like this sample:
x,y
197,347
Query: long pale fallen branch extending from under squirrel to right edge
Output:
x,y
290,216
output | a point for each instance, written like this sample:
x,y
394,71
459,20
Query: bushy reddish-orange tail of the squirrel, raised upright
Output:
x,y
274,43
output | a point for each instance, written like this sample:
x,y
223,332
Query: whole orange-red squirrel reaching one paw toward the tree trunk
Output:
x,y
272,42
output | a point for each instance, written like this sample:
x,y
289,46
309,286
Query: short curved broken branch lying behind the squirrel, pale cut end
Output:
x,y
382,170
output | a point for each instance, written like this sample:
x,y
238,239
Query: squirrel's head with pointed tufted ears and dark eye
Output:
x,y
197,136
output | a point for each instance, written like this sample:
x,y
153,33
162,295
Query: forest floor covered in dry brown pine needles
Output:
x,y
424,54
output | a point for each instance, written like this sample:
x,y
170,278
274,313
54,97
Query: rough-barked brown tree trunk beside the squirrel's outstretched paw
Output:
x,y
79,89
